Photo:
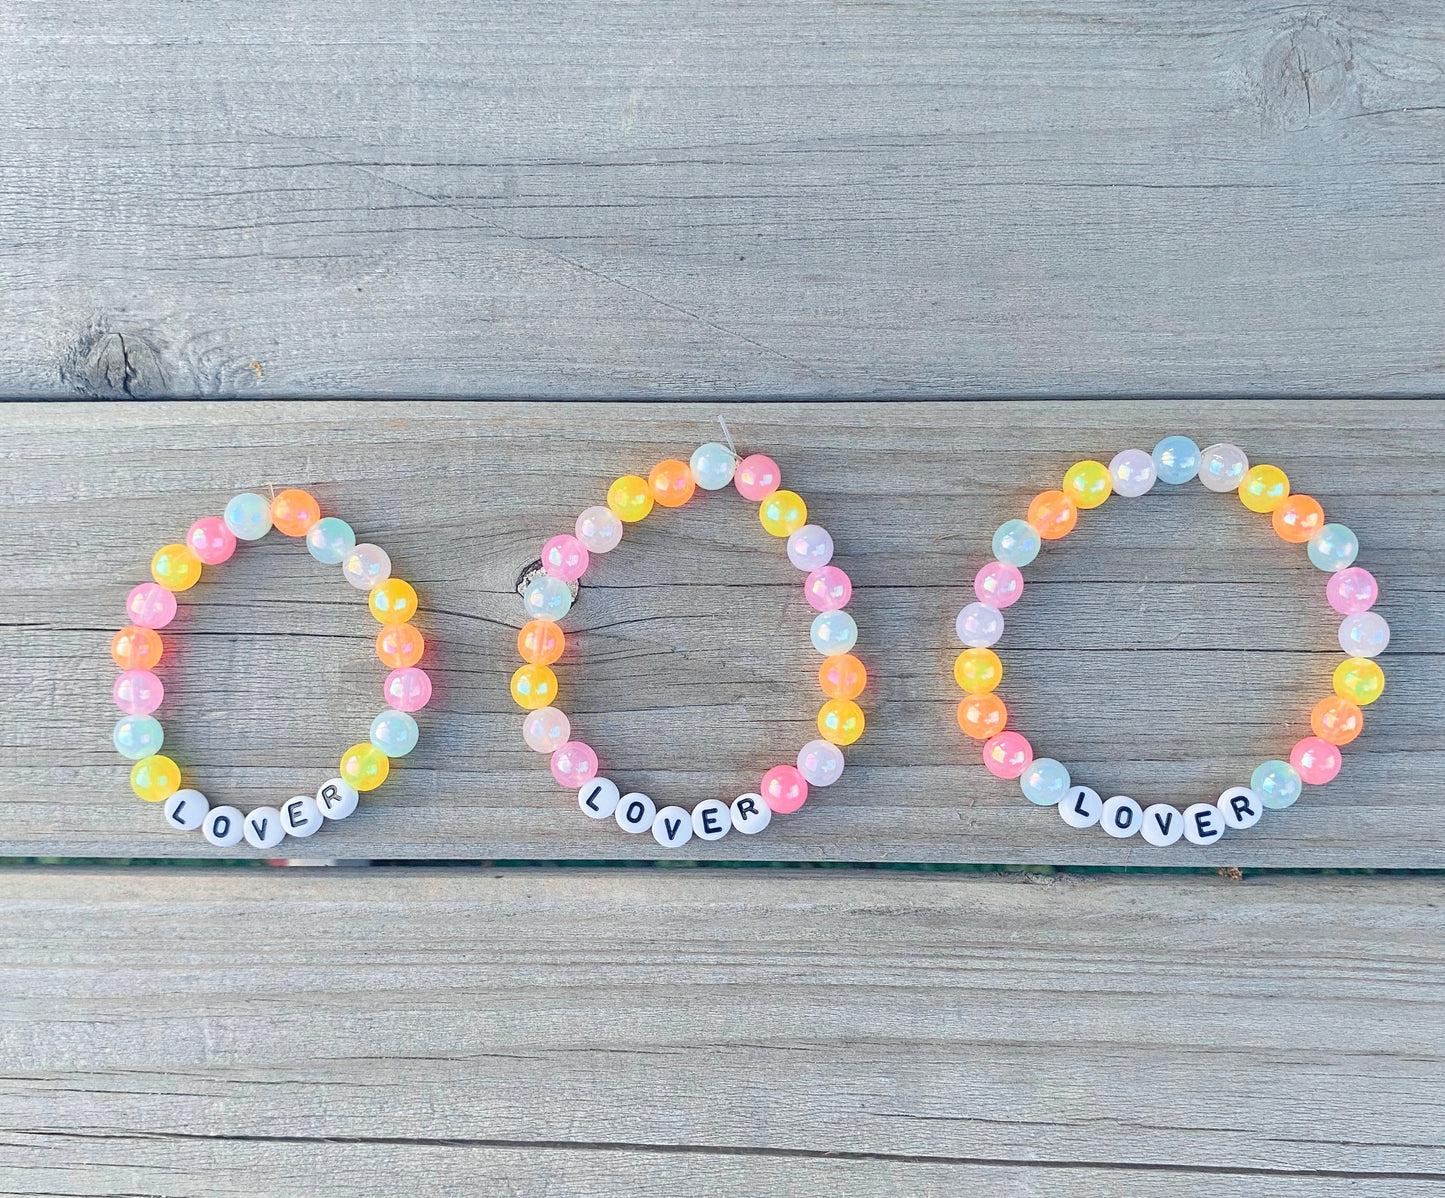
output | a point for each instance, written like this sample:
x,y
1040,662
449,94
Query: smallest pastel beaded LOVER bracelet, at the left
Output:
x,y
138,650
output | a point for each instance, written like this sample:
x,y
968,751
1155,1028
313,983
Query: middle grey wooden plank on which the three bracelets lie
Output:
x,y
1163,651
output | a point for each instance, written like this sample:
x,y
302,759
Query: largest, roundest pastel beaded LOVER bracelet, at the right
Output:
x,y
1298,520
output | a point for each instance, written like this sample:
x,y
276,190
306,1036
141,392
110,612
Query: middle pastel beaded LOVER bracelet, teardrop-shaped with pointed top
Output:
x,y
548,598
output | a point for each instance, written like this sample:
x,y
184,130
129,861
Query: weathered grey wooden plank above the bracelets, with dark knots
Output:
x,y
722,199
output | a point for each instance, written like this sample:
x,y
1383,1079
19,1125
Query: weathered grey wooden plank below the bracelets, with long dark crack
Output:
x,y
336,1033
